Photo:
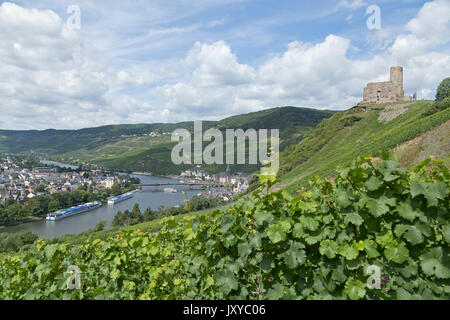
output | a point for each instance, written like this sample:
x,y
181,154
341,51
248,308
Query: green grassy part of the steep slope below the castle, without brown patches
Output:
x,y
338,140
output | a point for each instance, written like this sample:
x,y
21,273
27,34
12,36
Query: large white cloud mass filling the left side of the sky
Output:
x,y
48,80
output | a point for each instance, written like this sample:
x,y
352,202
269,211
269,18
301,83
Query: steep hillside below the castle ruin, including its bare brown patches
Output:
x,y
367,130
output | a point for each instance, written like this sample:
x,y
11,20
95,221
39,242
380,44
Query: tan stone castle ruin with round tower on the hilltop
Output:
x,y
384,92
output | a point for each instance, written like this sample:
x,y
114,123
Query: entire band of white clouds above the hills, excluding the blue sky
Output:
x,y
49,78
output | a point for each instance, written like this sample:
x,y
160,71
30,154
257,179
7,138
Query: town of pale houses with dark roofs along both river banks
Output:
x,y
23,178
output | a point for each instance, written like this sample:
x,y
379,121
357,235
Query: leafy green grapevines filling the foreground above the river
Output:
x,y
376,231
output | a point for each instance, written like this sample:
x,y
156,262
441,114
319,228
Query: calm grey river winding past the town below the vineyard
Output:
x,y
147,198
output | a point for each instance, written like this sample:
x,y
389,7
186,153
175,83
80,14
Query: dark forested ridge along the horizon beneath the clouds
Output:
x,y
62,141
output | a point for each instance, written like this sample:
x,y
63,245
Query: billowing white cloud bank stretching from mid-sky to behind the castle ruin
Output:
x,y
317,75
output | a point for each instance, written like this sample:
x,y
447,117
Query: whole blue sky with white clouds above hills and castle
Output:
x,y
173,60
